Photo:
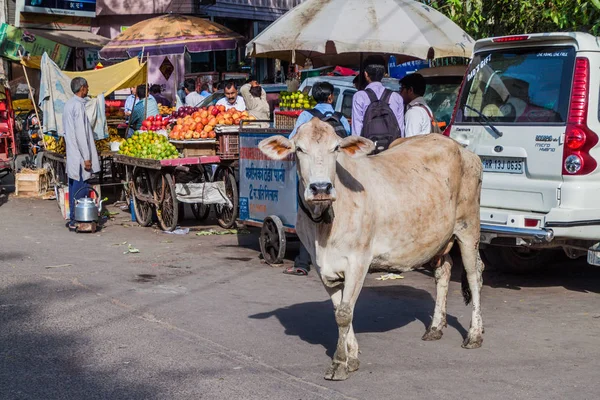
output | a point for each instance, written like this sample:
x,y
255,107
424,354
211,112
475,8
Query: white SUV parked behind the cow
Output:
x,y
529,107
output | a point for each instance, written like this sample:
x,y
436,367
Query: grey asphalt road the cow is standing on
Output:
x,y
201,317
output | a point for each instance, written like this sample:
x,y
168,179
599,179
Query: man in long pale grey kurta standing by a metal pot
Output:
x,y
82,157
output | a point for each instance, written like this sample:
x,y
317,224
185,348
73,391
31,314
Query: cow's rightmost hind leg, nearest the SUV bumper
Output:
x,y
469,248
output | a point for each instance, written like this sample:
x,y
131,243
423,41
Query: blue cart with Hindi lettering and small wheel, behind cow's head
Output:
x,y
268,193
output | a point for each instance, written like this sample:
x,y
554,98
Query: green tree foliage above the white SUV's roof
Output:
x,y
486,18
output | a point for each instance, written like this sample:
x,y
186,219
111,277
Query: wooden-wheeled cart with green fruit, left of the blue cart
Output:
x,y
163,185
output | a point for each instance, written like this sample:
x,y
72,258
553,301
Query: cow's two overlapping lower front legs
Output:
x,y
345,358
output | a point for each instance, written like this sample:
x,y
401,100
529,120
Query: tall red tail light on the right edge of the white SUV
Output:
x,y
579,138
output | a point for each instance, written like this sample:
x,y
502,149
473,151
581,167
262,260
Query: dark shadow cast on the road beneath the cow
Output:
x,y
379,309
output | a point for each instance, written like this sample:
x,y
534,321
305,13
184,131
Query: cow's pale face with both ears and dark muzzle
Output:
x,y
317,149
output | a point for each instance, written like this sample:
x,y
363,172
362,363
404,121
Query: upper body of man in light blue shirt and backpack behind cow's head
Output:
x,y
322,92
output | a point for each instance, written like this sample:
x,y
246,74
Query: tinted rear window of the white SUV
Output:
x,y
526,85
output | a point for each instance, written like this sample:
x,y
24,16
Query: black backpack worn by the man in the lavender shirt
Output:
x,y
380,123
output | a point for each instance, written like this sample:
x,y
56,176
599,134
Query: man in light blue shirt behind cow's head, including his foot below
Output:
x,y
322,92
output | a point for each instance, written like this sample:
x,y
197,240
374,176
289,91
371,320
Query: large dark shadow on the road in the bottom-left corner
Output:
x,y
42,361
